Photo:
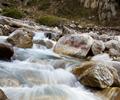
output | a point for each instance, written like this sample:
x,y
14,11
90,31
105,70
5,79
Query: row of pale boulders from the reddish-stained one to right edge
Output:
x,y
88,44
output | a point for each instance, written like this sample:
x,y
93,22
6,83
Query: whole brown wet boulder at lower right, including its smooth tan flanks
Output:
x,y
97,75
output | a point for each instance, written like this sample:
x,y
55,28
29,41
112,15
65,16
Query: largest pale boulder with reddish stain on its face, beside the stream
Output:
x,y
77,45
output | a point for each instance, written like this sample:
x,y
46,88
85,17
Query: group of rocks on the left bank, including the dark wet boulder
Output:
x,y
20,34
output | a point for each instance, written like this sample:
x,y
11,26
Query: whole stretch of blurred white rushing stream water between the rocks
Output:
x,y
33,75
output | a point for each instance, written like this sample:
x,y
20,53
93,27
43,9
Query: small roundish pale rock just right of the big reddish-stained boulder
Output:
x,y
98,47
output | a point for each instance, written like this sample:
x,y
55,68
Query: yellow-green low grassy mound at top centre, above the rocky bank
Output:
x,y
51,20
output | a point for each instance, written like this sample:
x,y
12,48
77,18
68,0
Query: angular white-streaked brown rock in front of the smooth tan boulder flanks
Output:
x,y
99,77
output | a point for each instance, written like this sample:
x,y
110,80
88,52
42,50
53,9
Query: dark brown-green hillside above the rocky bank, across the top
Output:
x,y
95,12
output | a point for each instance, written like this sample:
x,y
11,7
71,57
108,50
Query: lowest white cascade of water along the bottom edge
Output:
x,y
49,92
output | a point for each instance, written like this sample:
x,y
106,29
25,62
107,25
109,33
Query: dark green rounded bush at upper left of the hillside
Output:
x,y
13,12
